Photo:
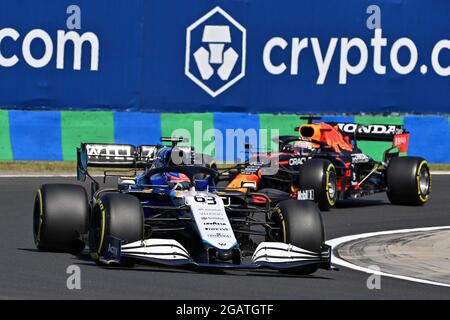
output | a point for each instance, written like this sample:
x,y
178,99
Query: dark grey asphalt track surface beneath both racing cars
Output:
x,y
27,273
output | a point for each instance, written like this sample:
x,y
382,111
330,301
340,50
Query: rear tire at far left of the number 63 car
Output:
x,y
60,216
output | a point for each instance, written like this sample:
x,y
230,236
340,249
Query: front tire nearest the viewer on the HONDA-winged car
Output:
x,y
319,175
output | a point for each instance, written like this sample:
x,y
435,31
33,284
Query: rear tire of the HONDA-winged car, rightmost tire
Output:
x,y
408,181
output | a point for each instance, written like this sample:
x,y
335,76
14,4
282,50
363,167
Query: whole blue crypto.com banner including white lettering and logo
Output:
x,y
234,55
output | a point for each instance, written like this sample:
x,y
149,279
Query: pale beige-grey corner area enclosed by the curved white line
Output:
x,y
421,254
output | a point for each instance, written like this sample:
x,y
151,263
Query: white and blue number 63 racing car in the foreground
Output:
x,y
167,213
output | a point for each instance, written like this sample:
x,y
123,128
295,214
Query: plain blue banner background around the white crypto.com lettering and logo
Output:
x,y
143,45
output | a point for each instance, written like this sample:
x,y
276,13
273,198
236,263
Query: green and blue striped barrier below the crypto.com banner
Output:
x,y
49,135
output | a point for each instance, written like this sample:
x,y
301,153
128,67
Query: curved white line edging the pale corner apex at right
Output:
x,y
334,243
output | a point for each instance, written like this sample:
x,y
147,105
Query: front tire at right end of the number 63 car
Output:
x,y
301,225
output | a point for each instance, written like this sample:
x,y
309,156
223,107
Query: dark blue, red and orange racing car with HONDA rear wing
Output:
x,y
323,163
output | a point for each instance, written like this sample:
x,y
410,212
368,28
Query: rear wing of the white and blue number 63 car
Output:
x,y
107,155
